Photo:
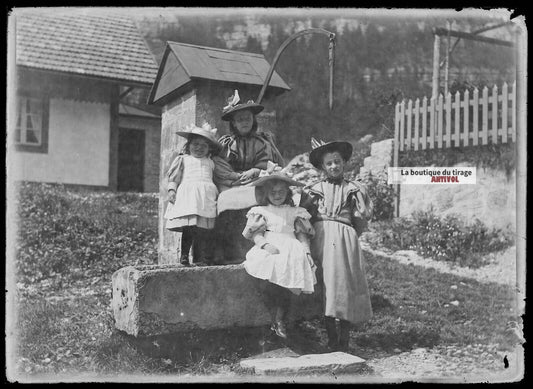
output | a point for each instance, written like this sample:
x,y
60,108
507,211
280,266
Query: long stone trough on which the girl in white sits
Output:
x,y
162,299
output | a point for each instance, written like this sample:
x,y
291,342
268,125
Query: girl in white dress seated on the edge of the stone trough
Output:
x,y
281,254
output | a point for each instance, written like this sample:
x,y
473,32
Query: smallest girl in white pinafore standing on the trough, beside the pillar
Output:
x,y
192,194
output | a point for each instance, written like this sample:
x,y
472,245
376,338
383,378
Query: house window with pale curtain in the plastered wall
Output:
x,y
31,131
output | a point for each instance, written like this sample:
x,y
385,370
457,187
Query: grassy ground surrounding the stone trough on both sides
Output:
x,y
65,325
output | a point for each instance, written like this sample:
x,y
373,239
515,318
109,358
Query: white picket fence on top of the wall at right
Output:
x,y
455,121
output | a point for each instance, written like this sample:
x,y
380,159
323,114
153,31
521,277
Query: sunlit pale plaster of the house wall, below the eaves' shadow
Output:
x,y
78,146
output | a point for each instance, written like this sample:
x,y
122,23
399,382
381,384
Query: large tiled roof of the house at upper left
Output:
x,y
83,42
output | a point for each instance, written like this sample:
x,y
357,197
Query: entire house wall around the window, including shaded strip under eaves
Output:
x,y
78,130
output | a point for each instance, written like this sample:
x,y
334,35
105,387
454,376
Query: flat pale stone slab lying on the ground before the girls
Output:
x,y
304,364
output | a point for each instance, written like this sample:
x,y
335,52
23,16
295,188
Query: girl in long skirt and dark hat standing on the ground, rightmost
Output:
x,y
339,207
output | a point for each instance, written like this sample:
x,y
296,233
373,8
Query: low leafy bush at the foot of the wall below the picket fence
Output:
x,y
441,238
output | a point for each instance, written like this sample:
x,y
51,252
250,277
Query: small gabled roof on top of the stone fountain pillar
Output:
x,y
183,63
